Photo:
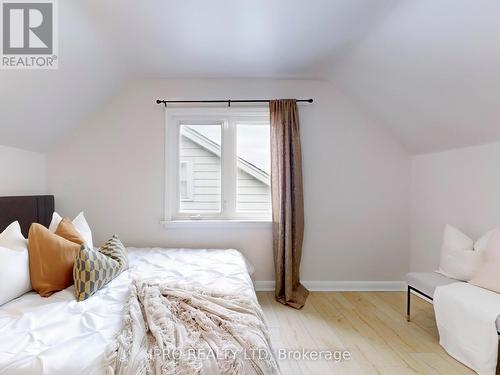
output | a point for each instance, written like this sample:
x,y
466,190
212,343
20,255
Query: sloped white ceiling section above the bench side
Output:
x,y
430,73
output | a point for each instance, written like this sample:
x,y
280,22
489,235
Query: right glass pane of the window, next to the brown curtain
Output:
x,y
253,144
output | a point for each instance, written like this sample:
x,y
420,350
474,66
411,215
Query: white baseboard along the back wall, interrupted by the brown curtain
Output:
x,y
341,286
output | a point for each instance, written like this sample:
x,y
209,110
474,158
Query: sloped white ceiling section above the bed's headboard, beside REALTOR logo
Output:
x,y
38,107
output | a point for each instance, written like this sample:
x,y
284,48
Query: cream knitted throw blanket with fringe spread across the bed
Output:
x,y
175,330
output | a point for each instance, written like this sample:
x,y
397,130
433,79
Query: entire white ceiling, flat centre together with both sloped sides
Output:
x,y
427,70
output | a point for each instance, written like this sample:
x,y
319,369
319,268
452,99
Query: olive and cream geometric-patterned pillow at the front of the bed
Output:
x,y
92,271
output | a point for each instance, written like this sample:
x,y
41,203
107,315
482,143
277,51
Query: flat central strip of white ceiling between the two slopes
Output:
x,y
227,38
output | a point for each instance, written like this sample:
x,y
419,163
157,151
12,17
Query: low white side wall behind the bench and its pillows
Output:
x,y
458,187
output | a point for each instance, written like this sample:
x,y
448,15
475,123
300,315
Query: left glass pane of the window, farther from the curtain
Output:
x,y
200,168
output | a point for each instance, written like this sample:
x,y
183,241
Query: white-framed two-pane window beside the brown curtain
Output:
x,y
218,164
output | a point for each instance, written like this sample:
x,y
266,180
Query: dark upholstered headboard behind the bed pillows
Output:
x,y
26,210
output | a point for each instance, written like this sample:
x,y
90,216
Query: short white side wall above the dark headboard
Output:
x,y
23,172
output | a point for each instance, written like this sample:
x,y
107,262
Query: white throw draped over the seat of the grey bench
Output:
x,y
466,318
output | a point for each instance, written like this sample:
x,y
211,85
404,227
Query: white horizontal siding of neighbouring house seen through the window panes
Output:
x,y
253,196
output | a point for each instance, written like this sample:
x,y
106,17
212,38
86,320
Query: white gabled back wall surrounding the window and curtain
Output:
x,y
357,180
